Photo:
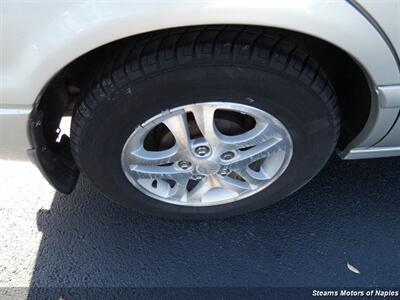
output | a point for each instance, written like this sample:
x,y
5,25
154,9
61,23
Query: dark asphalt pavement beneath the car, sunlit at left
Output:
x,y
349,213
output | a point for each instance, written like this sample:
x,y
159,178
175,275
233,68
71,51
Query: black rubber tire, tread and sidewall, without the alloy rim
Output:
x,y
171,68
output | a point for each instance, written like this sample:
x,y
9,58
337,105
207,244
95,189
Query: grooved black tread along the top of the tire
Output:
x,y
142,56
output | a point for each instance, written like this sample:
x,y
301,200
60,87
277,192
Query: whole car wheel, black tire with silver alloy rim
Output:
x,y
206,122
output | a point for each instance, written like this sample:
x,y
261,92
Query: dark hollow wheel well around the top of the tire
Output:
x,y
62,93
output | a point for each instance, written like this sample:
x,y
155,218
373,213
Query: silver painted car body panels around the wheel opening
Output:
x,y
38,39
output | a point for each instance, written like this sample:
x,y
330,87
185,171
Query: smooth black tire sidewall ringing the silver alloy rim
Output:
x,y
303,113
